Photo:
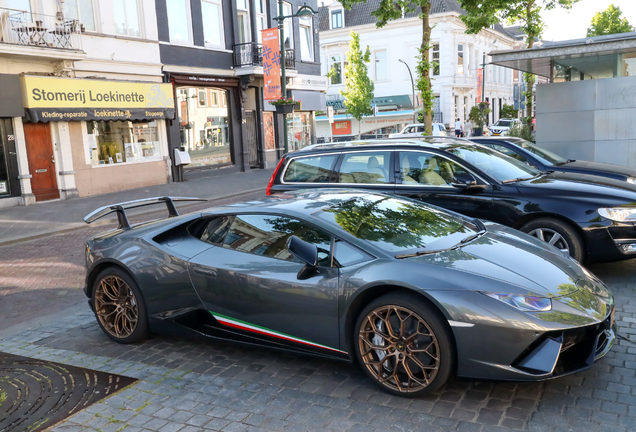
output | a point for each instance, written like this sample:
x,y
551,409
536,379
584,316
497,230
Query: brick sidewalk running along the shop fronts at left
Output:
x,y
40,219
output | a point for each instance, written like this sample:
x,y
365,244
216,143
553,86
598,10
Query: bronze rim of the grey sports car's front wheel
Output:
x,y
399,349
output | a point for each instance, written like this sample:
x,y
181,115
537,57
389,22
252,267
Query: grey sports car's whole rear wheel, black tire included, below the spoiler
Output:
x,y
116,299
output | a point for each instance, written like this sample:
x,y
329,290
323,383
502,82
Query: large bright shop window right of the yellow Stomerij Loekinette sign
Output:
x,y
208,117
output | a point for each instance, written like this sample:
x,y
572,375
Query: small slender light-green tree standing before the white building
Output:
x,y
358,86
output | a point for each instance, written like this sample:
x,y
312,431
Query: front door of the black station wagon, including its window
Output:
x,y
428,177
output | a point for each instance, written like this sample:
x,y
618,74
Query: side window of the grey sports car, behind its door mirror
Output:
x,y
267,235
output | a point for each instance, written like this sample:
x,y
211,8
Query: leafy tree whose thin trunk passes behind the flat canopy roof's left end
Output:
x,y
482,14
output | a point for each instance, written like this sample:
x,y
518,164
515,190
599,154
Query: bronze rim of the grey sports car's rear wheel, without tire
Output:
x,y
116,307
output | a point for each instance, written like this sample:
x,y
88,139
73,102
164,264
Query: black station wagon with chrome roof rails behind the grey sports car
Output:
x,y
591,218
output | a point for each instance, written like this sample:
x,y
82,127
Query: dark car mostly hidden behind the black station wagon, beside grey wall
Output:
x,y
545,160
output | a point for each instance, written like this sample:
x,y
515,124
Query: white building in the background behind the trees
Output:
x,y
459,56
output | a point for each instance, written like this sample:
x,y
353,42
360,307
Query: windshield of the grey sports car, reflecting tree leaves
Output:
x,y
398,225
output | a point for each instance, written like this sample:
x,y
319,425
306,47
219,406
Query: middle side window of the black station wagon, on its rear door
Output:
x,y
365,167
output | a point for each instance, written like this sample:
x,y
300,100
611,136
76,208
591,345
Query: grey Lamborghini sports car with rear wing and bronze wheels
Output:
x,y
411,292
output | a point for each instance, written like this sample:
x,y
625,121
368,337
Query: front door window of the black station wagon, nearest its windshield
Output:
x,y
426,169
